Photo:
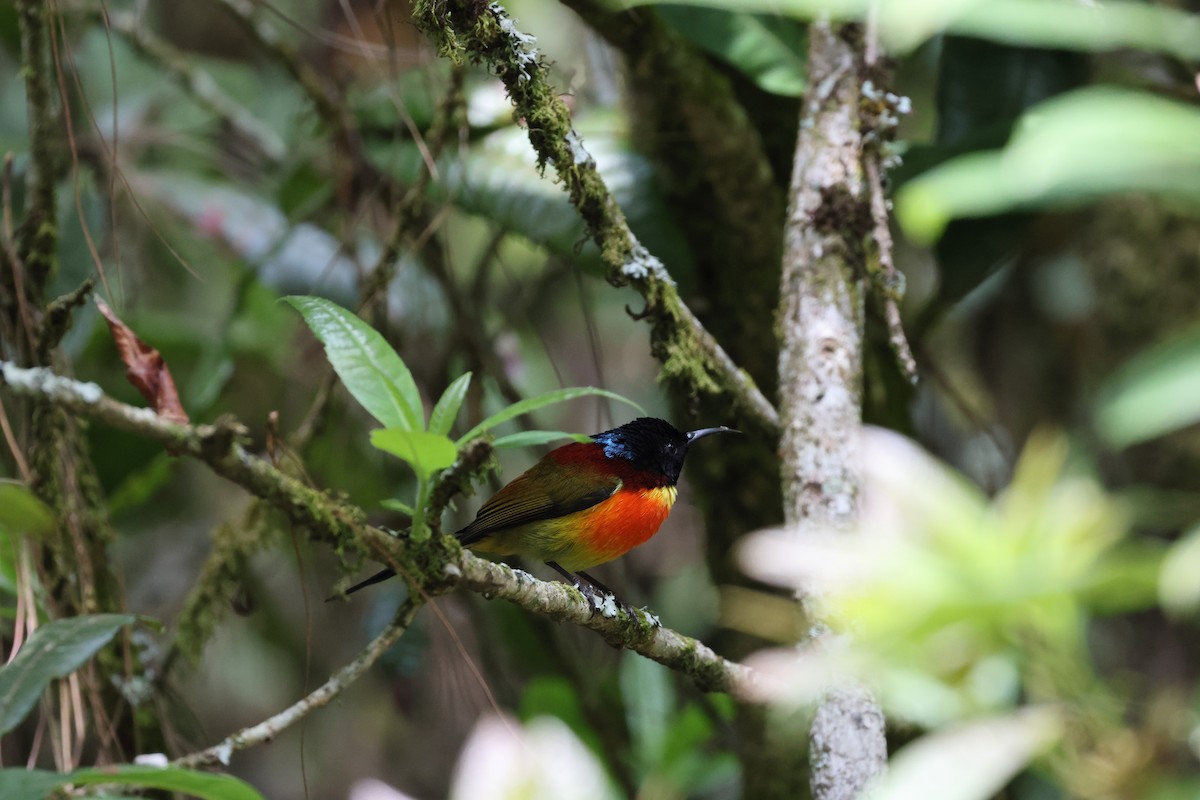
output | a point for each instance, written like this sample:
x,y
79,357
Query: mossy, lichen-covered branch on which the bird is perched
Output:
x,y
431,568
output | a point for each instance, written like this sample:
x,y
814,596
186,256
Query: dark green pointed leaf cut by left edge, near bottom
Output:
x,y
56,651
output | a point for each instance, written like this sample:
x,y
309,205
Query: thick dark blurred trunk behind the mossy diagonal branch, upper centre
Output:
x,y
716,172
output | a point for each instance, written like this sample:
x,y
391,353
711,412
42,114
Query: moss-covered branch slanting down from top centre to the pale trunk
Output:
x,y
465,29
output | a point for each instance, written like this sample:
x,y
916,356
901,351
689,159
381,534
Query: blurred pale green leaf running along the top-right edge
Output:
x,y
905,25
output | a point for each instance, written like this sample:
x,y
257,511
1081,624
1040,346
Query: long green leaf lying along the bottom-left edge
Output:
x,y
37,785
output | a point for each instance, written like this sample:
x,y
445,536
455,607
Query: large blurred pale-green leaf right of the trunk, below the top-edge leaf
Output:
x,y
1067,151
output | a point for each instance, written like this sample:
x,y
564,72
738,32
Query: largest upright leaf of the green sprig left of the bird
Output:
x,y
373,372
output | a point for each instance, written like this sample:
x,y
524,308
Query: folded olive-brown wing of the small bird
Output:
x,y
544,492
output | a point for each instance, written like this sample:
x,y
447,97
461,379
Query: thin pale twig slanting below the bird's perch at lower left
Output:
x,y
339,682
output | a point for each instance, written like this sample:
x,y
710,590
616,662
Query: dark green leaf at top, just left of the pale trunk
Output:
x,y
767,50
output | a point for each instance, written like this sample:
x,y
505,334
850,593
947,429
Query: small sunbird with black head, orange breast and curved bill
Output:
x,y
585,503
